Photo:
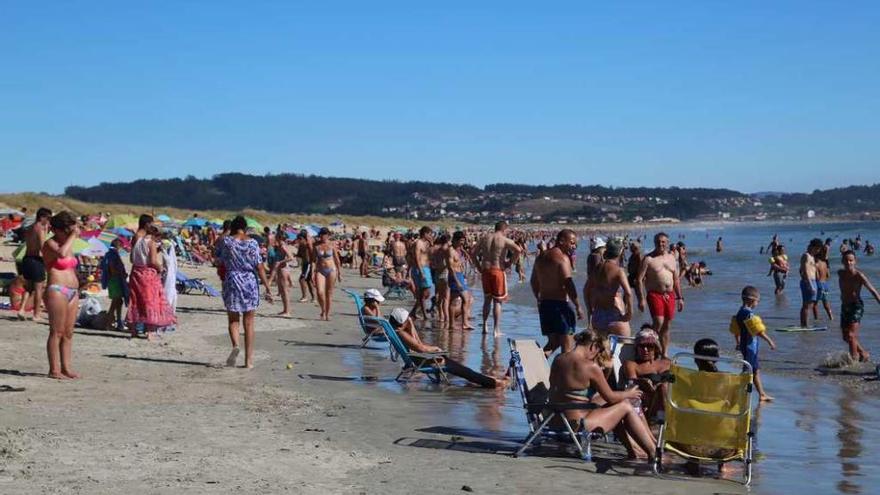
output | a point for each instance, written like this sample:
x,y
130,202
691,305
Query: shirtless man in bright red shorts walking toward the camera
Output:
x,y
658,275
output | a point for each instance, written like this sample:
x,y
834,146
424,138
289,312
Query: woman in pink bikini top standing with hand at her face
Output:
x,y
62,294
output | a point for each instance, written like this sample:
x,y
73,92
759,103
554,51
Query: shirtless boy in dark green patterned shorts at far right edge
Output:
x,y
852,307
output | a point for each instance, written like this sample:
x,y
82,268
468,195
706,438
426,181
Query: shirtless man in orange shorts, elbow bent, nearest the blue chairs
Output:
x,y
490,255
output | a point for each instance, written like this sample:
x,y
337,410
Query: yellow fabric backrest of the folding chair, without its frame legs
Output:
x,y
708,409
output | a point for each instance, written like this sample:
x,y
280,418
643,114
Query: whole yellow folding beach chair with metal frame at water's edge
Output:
x,y
707,415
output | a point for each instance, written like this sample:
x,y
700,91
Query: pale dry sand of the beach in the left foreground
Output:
x,y
166,416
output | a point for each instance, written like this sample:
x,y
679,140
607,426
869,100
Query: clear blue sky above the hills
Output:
x,y
749,95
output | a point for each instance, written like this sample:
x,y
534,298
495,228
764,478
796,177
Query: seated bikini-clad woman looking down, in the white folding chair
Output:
x,y
577,376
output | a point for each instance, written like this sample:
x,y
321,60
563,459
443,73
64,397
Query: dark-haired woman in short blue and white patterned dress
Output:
x,y
240,256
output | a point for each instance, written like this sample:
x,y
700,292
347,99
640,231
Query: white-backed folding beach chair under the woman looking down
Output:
x,y
531,371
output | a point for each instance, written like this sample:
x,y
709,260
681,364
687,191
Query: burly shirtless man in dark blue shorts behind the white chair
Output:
x,y
554,289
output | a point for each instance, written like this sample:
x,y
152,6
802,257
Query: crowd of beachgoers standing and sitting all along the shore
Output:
x,y
435,267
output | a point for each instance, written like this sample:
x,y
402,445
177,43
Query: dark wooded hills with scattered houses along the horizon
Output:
x,y
560,204
